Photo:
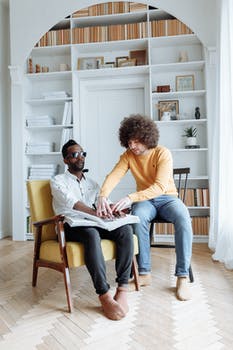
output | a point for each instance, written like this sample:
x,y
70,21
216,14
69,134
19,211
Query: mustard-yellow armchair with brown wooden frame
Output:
x,y
51,249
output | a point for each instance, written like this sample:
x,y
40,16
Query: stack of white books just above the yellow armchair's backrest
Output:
x,y
42,171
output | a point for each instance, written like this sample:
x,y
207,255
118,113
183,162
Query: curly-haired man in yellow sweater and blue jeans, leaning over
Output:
x,y
152,168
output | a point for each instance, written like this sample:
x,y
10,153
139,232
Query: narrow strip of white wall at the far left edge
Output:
x,y
5,142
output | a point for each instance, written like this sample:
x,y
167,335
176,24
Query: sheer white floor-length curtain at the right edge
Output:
x,y
221,228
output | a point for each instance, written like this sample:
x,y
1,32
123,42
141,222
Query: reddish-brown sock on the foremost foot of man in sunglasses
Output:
x,y
111,308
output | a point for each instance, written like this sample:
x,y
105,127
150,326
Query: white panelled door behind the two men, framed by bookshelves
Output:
x,y
102,110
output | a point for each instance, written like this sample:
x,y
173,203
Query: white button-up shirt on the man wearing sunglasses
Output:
x,y
67,190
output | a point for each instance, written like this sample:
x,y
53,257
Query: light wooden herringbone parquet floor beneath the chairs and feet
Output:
x,y
36,318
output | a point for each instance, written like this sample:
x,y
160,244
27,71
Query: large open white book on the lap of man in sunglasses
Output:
x,y
84,219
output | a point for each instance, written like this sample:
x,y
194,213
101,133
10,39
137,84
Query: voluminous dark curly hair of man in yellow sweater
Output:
x,y
140,128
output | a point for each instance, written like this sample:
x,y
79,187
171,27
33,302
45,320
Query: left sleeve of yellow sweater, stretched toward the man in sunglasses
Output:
x,y
114,177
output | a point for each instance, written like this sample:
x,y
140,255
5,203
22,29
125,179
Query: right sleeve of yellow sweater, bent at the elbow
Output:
x,y
163,182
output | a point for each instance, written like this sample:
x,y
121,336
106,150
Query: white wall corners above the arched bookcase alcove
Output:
x,y
36,17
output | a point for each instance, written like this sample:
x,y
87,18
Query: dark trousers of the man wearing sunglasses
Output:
x,y
94,259
